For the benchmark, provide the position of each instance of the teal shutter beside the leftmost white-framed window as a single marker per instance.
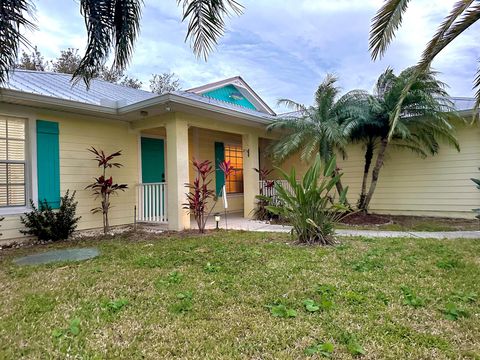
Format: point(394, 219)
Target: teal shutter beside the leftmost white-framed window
point(48, 163)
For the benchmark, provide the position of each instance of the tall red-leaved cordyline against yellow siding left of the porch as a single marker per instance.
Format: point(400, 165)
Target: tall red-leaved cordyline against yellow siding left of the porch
point(104, 187)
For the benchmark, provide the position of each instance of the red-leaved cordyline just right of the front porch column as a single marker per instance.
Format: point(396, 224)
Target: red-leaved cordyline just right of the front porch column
point(199, 193)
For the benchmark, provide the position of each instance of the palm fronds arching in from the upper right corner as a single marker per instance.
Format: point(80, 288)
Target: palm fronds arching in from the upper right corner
point(389, 18)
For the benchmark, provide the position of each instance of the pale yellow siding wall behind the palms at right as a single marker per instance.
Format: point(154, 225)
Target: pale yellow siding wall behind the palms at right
point(438, 185)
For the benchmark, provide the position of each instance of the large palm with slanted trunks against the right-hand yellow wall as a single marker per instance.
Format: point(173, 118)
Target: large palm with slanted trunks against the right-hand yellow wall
point(425, 120)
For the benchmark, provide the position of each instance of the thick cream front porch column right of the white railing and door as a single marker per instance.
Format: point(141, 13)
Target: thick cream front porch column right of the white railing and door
point(177, 173)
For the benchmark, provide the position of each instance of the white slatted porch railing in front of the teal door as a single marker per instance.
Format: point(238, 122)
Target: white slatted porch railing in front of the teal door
point(152, 202)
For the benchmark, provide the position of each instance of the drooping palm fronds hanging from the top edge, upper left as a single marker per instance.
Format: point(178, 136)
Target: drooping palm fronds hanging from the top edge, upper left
point(112, 27)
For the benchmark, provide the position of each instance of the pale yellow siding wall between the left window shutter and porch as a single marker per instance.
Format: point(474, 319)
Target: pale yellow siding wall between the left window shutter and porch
point(77, 168)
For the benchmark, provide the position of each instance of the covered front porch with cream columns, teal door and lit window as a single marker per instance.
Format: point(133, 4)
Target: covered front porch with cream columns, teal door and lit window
point(166, 148)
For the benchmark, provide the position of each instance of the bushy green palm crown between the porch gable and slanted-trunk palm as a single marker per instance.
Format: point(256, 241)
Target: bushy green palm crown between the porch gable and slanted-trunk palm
point(322, 129)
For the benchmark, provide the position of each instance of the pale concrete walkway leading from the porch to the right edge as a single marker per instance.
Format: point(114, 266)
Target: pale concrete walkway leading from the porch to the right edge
point(238, 222)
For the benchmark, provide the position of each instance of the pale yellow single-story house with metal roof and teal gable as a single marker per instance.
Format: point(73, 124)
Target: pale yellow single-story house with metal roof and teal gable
point(46, 126)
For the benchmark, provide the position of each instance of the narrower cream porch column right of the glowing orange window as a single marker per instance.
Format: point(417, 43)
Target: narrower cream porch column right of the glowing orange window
point(250, 176)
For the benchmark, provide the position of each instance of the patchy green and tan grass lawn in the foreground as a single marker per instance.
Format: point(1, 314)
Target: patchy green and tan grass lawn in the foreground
point(233, 295)
